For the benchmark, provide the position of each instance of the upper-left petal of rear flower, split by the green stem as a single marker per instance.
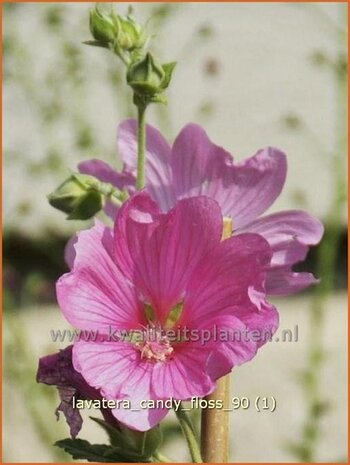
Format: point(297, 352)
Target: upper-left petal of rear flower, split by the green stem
point(158, 173)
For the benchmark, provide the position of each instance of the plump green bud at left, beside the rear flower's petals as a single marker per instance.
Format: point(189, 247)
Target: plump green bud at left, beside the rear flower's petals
point(78, 196)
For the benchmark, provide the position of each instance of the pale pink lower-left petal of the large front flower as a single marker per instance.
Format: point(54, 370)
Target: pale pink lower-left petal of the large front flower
point(116, 368)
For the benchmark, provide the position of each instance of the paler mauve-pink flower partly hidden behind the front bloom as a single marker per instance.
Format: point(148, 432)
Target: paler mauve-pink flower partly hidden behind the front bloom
point(244, 190)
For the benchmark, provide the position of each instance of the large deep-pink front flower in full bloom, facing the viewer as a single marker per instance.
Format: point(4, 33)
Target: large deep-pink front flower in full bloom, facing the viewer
point(155, 268)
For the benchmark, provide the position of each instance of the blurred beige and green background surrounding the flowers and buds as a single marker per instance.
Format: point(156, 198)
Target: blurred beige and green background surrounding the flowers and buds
point(253, 75)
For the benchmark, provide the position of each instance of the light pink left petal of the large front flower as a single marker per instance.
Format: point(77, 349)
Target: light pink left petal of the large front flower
point(95, 294)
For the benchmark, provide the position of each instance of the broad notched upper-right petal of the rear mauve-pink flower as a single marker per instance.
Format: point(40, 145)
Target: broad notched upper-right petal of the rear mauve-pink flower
point(244, 189)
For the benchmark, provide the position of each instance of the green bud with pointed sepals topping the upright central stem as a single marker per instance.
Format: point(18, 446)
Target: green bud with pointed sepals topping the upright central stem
point(148, 78)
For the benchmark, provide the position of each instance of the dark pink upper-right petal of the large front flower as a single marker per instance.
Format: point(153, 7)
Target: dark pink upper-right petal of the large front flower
point(223, 280)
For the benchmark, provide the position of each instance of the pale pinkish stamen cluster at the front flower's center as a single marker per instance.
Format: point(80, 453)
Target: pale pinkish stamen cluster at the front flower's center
point(155, 346)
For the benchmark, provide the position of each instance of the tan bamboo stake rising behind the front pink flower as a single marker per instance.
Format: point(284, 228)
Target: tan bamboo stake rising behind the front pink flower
point(215, 422)
